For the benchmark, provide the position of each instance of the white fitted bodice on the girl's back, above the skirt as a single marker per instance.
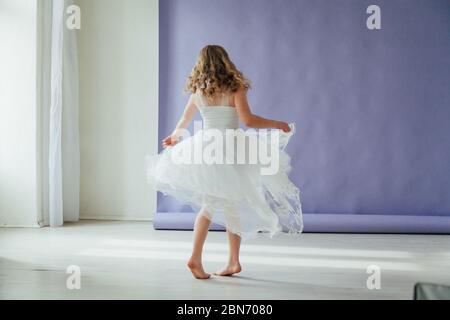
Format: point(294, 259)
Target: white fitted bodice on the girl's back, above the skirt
point(218, 114)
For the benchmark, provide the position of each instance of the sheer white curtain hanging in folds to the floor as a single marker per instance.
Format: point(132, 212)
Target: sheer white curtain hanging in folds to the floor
point(60, 136)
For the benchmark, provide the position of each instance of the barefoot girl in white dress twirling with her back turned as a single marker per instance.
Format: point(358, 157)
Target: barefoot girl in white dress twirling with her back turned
point(236, 196)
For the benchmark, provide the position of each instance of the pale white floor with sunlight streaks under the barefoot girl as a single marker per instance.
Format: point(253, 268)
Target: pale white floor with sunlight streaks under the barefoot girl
point(130, 260)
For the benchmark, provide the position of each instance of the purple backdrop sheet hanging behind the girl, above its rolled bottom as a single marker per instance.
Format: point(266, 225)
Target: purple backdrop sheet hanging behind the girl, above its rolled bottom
point(372, 107)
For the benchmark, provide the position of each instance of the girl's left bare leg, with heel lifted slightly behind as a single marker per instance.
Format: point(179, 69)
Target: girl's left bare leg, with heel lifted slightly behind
point(201, 229)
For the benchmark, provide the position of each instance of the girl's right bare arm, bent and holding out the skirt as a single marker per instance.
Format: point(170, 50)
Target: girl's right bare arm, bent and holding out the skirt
point(253, 121)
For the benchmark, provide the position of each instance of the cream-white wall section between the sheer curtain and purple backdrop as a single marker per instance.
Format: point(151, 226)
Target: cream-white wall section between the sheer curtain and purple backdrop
point(118, 58)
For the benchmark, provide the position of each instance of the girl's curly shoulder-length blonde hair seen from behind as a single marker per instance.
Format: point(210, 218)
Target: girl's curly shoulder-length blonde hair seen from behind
point(215, 73)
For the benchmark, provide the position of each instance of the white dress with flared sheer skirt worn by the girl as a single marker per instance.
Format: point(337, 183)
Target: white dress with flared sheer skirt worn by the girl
point(236, 195)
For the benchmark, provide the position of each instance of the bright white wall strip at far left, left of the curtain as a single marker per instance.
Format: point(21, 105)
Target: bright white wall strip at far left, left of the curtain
point(18, 139)
